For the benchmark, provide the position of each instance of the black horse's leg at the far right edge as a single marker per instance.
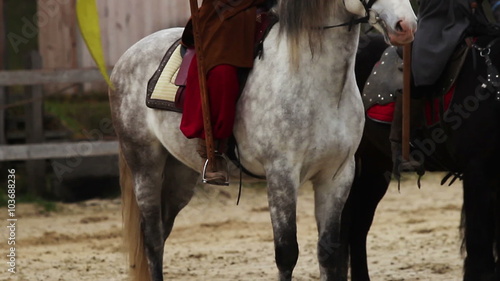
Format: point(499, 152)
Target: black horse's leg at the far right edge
point(479, 223)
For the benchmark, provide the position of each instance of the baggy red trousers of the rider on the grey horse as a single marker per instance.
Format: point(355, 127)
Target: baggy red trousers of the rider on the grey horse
point(223, 90)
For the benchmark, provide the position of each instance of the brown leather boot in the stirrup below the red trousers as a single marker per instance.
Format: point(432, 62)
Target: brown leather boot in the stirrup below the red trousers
point(219, 175)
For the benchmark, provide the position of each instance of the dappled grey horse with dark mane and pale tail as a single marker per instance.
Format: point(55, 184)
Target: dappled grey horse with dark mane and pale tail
point(299, 118)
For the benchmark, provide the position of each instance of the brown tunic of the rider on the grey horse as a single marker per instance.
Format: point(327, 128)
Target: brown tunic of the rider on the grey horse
point(227, 29)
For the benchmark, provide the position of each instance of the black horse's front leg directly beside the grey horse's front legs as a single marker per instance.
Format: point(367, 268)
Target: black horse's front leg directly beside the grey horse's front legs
point(370, 185)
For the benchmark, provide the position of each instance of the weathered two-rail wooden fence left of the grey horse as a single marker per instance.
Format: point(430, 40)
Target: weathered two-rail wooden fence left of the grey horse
point(35, 151)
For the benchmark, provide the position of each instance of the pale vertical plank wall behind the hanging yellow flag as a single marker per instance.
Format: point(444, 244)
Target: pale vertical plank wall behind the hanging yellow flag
point(123, 22)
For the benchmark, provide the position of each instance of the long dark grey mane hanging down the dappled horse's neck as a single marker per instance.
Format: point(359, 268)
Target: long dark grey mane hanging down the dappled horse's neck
point(302, 19)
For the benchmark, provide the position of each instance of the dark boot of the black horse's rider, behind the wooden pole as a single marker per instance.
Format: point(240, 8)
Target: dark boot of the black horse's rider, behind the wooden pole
point(399, 164)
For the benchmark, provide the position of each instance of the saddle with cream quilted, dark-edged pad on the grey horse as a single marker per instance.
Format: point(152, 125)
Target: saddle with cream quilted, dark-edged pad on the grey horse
point(165, 90)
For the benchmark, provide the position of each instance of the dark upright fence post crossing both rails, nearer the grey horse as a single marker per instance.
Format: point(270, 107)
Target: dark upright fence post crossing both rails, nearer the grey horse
point(34, 130)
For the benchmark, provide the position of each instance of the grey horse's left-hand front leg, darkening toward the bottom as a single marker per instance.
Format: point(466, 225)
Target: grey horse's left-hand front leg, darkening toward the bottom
point(282, 196)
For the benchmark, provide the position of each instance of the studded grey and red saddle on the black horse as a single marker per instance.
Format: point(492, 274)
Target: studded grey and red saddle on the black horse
point(386, 82)
